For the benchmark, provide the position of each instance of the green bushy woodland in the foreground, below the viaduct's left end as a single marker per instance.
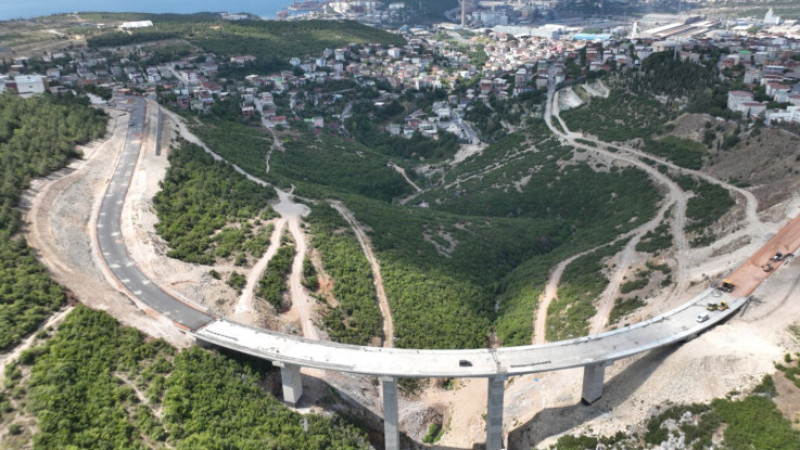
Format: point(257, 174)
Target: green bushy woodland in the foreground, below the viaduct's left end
point(96, 384)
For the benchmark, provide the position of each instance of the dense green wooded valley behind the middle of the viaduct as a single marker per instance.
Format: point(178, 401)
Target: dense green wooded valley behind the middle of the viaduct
point(457, 265)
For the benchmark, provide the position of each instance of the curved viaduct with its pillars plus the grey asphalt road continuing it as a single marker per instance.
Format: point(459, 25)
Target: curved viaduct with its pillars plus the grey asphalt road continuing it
point(290, 353)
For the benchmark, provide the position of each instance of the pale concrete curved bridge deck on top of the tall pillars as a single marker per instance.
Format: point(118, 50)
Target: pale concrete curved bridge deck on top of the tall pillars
point(673, 326)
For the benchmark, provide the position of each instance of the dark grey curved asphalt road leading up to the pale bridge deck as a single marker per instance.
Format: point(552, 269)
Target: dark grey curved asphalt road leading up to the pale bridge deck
point(109, 234)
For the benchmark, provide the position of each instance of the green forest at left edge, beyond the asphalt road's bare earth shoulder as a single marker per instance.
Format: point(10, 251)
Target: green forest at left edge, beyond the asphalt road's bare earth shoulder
point(37, 136)
